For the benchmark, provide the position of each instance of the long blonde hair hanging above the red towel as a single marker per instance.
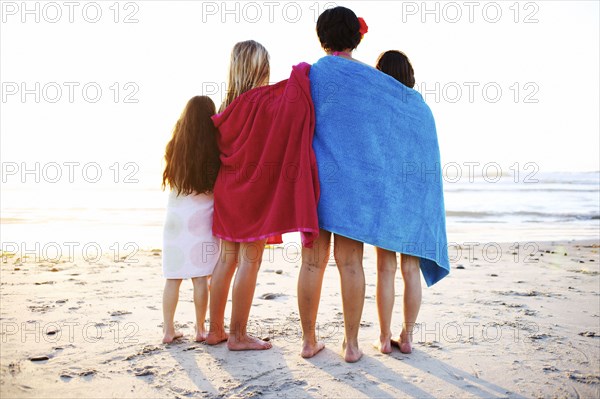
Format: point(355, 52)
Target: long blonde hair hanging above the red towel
point(248, 69)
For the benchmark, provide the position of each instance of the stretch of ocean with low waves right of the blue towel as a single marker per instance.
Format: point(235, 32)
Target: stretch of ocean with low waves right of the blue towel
point(549, 206)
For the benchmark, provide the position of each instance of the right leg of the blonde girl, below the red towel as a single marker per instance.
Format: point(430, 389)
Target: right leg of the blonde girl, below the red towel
point(243, 293)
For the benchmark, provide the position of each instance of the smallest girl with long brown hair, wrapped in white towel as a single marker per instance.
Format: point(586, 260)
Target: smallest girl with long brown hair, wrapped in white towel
point(189, 248)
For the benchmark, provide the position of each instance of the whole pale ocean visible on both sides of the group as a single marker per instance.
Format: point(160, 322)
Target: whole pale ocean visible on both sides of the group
point(128, 214)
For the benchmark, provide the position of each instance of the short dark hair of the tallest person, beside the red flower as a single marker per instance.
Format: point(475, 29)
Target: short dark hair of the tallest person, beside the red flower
point(338, 29)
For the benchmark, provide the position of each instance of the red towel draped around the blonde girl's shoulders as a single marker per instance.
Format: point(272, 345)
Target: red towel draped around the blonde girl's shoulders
point(268, 182)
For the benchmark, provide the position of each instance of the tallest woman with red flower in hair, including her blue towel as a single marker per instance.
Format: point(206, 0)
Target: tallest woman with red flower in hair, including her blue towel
point(379, 173)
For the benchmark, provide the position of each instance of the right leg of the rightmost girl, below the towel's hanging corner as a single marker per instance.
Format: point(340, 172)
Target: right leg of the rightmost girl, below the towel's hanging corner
point(411, 273)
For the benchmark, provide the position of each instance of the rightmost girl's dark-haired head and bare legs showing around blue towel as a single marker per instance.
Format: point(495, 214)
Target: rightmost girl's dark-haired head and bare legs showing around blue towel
point(397, 65)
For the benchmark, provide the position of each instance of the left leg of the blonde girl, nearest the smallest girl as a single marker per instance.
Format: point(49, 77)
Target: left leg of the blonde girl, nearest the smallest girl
point(221, 281)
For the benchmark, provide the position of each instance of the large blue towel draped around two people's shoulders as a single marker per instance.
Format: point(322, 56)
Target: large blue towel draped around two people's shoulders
point(379, 163)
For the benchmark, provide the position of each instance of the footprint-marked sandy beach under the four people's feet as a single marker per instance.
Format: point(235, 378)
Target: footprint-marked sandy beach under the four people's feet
point(521, 323)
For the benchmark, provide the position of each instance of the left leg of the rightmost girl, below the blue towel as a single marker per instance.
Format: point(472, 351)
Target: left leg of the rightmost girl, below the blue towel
point(386, 274)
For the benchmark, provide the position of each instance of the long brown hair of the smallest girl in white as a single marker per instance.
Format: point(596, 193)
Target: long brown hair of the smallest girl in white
point(192, 155)
